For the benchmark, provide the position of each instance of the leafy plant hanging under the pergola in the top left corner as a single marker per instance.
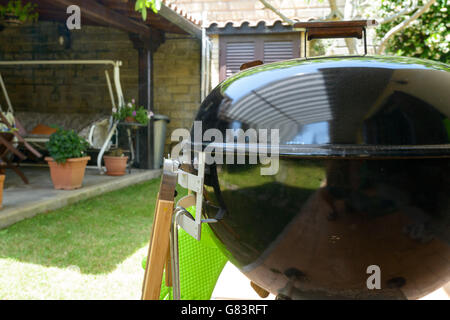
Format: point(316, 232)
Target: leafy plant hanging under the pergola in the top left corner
point(15, 13)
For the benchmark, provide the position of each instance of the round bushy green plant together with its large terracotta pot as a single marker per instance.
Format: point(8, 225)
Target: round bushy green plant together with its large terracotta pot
point(67, 159)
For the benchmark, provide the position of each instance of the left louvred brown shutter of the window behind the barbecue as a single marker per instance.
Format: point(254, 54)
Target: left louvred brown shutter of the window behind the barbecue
point(238, 53)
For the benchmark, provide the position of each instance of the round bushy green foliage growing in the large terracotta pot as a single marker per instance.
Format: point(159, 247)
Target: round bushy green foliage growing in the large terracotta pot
point(66, 144)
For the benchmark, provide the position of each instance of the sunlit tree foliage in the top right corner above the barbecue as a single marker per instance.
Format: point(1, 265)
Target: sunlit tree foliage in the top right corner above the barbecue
point(427, 37)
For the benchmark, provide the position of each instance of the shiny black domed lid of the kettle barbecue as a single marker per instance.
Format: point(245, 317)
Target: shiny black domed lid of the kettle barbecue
point(338, 106)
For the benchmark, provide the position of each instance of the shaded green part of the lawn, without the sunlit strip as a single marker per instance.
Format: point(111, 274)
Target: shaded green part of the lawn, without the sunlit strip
point(95, 235)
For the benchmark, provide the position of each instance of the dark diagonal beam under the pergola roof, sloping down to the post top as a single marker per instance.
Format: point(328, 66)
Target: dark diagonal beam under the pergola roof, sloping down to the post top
point(95, 11)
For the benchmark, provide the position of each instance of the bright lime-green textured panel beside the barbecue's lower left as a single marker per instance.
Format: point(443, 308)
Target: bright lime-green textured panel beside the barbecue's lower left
point(201, 263)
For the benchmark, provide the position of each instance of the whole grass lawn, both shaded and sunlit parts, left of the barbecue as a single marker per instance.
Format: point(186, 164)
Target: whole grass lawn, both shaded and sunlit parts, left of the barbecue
point(89, 250)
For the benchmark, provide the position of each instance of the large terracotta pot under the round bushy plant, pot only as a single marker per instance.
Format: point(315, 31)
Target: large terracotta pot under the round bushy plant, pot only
point(70, 175)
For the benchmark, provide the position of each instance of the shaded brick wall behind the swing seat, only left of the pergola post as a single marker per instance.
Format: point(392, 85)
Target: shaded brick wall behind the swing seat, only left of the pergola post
point(65, 89)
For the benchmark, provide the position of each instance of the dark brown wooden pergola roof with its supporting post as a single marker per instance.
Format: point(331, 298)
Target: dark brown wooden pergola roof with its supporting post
point(147, 36)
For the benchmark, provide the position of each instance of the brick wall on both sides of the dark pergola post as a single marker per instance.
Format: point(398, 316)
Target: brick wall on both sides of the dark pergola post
point(82, 89)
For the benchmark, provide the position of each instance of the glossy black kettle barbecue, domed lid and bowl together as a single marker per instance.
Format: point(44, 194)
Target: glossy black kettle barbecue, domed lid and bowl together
point(358, 206)
